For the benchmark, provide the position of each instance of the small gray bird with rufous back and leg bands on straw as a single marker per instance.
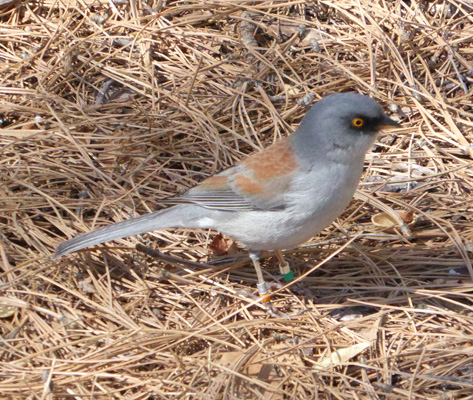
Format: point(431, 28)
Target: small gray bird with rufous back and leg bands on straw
point(279, 197)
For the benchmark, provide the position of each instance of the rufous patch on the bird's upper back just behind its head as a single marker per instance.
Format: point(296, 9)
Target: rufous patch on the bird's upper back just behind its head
point(275, 160)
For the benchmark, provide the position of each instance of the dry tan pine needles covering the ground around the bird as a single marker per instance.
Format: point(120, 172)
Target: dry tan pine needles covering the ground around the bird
point(108, 107)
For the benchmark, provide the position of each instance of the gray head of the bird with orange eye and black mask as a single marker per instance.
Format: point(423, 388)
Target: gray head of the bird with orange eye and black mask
point(343, 124)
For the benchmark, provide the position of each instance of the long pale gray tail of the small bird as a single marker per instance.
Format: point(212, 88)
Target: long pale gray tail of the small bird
point(174, 217)
